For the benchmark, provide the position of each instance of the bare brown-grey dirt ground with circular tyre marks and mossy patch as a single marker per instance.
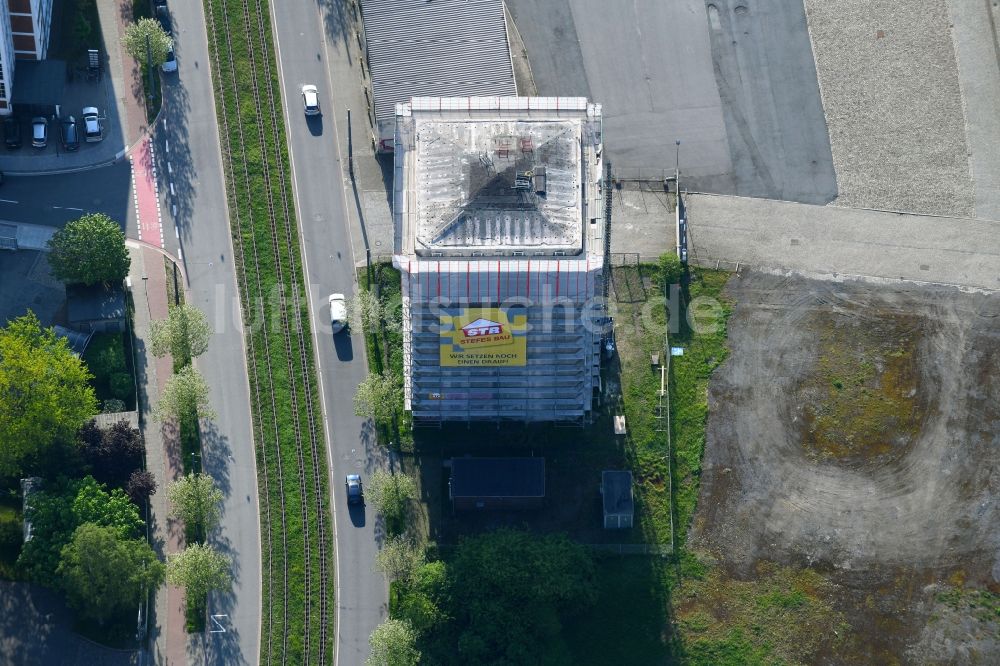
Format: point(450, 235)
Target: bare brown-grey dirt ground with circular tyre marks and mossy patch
point(855, 431)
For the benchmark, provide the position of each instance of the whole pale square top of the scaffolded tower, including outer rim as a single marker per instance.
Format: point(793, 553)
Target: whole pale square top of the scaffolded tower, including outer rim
point(497, 175)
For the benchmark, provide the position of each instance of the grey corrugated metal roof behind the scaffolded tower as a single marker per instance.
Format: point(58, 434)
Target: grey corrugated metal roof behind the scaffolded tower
point(438, 48)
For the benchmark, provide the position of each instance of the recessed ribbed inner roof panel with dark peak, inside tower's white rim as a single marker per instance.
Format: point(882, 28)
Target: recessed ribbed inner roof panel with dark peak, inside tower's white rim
point(501, 184)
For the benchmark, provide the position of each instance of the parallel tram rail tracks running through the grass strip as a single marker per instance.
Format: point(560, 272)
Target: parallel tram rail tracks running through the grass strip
point(284, 248)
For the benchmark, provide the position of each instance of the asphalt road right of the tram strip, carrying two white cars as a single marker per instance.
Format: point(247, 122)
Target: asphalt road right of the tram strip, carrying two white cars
point(321, 194)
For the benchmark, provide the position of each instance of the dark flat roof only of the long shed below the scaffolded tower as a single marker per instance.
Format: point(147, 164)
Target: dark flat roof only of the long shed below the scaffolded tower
point(498, 477)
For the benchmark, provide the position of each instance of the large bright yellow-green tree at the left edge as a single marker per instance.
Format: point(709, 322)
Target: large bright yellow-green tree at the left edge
point(44, 394)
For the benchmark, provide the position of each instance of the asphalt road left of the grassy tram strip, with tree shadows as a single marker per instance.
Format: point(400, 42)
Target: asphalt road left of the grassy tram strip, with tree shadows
point(188, 154)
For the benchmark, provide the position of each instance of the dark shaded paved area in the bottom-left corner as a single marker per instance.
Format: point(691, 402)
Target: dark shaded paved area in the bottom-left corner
point(35, 629)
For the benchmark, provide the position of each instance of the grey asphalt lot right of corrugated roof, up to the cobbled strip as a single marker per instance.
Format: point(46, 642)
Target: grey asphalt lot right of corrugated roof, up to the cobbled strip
point(735, 85)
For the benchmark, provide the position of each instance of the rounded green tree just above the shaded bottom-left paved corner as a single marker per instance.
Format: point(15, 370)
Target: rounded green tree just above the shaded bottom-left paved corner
point(104, 575)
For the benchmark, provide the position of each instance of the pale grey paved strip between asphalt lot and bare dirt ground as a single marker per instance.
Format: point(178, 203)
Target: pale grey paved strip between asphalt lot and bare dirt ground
point(831, 241)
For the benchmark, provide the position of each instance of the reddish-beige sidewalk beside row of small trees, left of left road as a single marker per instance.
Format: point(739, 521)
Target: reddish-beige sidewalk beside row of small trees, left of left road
point(167, 638)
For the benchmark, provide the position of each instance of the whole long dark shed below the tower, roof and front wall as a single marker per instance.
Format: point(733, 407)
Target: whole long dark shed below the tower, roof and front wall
point(497, 483)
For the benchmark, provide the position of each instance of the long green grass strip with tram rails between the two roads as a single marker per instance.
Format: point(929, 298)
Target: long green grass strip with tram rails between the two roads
point(253, 167)
